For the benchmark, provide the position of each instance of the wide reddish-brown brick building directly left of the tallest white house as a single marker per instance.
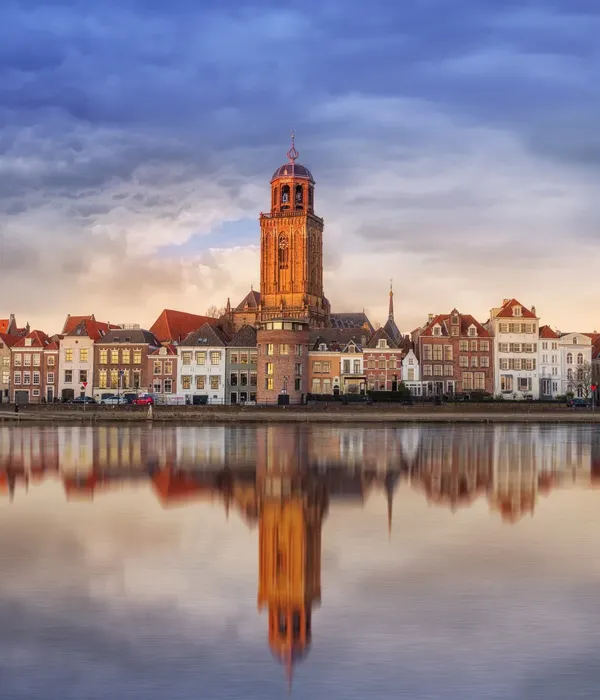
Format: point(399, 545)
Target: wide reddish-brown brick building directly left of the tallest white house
point(456, 354)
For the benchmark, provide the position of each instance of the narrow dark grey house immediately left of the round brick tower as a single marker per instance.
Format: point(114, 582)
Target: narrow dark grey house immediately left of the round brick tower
point(241, 367)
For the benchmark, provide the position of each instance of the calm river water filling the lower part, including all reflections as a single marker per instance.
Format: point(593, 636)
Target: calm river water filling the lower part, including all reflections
point(329, 562)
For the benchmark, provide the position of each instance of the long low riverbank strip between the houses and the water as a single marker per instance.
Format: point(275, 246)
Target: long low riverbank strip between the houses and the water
point(460, 413)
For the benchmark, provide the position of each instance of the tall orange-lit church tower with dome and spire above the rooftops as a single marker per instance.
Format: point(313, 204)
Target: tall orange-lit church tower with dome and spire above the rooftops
point(291, 248)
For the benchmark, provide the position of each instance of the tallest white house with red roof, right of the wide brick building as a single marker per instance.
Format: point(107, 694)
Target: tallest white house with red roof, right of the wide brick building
point(515, 329)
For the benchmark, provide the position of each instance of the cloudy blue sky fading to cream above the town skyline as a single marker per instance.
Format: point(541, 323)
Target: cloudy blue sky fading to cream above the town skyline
point(456, 153)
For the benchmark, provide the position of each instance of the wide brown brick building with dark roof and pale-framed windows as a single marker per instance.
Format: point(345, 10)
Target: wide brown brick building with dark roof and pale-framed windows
point(121, 361)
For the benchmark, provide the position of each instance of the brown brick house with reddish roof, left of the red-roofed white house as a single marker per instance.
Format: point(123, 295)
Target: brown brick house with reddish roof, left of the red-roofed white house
point(34, 368)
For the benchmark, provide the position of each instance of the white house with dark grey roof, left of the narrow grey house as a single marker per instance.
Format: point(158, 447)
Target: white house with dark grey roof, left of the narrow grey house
point(201, 366)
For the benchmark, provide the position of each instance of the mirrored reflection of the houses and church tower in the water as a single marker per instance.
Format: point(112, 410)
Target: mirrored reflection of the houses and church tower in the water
point(283, 479)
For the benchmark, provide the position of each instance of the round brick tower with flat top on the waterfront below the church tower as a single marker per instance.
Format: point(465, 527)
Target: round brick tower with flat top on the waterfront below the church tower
point(282, 359)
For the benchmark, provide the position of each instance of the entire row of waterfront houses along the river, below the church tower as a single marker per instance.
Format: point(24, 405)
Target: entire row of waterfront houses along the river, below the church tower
point(200, 359)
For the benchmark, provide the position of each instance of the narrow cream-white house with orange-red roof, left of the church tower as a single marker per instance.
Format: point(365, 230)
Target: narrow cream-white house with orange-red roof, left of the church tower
point(76, 364)
